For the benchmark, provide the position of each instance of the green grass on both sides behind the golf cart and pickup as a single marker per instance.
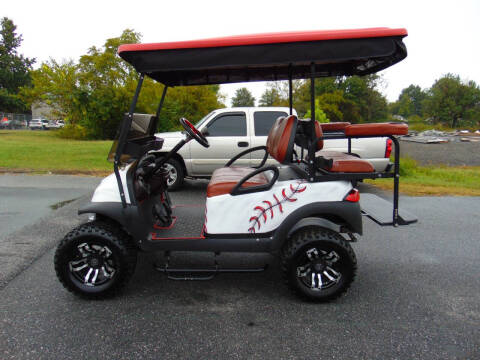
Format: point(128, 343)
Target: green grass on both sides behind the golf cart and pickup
point(43, 151)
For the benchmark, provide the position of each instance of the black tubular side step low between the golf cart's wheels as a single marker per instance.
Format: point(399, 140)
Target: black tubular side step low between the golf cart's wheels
point(200, 274)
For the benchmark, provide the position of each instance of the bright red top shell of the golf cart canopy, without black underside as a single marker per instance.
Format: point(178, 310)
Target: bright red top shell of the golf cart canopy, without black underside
point(267, 38)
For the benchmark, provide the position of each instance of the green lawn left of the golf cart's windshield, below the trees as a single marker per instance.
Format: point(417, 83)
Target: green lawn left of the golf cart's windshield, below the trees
point(43, 151)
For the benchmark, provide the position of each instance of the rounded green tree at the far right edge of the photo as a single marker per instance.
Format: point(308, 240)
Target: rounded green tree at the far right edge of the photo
point(451, 100)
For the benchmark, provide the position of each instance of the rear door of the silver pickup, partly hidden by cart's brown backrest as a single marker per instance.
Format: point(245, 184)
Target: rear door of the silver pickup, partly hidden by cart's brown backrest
point(262, 123)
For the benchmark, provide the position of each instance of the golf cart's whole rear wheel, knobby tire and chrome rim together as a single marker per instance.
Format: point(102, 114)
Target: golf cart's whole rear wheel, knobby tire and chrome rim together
point(318, 264)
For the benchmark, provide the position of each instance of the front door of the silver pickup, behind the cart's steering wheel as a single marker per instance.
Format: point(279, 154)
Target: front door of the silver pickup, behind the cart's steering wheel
point(228, 136)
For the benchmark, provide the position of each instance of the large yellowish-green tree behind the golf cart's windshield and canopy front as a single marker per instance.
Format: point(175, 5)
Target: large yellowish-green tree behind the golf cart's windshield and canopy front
point(93, 94)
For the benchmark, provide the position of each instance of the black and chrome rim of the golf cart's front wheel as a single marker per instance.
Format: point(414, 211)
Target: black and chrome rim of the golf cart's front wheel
point(93, 265)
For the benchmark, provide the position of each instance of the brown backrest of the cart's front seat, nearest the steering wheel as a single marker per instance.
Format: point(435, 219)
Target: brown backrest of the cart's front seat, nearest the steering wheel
point(281, 138)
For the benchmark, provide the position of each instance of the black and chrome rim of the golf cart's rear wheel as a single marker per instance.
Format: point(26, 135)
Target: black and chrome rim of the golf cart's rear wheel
point(320, 269)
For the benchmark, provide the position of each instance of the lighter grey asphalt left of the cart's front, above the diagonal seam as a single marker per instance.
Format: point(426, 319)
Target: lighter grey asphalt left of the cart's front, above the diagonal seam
point(27, 204)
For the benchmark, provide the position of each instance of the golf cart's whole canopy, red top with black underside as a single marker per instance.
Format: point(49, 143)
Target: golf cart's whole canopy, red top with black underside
point(268, 57)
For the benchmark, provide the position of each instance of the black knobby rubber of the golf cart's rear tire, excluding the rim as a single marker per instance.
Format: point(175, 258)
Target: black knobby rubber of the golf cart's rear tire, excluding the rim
point(320, 238)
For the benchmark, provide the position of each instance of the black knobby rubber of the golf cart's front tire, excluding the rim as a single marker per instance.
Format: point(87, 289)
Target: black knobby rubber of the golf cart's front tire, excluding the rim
point(124, 254)
